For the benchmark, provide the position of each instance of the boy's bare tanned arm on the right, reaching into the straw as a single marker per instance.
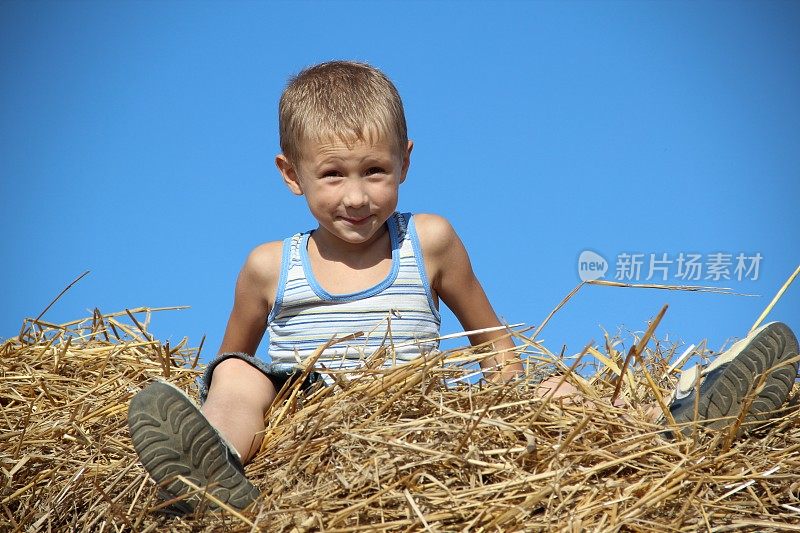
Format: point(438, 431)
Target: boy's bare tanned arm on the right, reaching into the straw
point(452, 279)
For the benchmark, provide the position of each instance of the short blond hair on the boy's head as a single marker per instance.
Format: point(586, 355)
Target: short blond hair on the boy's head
point(340, 99)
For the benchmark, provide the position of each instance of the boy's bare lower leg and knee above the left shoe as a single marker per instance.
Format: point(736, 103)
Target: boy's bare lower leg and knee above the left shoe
point(237, 400)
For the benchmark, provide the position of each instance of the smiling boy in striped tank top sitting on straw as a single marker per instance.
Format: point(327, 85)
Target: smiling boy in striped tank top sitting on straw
point(365, 268)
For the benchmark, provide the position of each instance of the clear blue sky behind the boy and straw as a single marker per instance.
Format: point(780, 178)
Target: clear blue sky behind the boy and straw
point(137, 141)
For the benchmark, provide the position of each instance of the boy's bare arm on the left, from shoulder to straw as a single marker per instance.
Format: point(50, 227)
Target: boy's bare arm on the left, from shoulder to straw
point(255, 293)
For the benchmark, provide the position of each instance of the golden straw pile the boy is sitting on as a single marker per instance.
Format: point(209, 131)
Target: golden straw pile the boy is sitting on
point(394, 451)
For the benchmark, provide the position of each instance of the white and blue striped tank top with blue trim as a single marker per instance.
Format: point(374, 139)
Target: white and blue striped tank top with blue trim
point(398, 313)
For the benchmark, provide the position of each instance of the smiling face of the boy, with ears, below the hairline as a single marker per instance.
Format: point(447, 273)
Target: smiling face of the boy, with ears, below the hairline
point(350, 190)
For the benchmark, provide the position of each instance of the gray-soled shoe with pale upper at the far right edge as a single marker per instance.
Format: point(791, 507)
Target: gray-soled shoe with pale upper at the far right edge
point(728, 382)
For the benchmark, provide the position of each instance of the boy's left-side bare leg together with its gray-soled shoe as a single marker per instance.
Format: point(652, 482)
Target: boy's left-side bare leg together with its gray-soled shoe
point(176, 441)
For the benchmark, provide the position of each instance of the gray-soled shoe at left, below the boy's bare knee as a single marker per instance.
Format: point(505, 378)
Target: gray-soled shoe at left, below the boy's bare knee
point(172, 437)
